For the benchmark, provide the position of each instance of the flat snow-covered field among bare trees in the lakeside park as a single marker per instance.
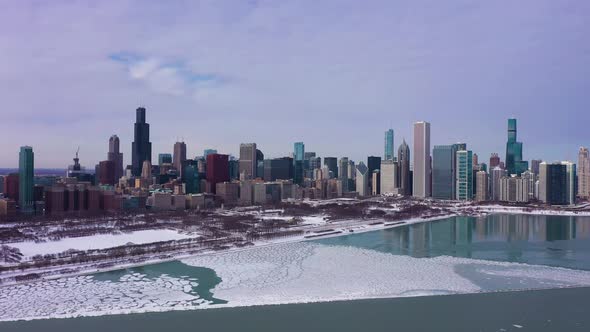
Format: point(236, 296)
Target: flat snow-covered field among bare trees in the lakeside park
point(100, 241)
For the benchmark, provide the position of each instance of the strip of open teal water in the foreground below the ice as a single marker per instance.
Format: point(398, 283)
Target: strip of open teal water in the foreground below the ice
point(559, 310)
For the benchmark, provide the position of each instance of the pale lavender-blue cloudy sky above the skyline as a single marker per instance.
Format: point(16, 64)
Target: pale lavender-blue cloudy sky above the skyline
point(333, 74)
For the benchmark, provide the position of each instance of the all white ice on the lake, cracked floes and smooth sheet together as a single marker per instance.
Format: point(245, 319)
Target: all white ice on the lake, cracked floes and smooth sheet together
point(282, 273)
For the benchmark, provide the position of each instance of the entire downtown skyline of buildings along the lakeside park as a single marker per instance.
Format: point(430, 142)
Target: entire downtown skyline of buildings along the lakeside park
point(447, 172)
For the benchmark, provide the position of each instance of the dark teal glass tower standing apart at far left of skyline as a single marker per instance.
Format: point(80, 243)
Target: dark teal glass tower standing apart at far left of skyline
point(26, 179)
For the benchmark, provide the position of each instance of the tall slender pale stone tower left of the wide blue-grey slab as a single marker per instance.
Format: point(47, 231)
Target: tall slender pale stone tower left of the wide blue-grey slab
point(421, 154)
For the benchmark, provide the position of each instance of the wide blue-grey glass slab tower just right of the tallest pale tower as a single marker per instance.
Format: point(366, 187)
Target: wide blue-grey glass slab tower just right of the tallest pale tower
point(443, 171)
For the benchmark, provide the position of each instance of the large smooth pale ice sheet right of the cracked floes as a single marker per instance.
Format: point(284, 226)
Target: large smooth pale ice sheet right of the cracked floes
point(307, 272)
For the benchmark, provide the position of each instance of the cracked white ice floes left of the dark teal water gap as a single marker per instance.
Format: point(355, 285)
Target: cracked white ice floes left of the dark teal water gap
point(84, 296)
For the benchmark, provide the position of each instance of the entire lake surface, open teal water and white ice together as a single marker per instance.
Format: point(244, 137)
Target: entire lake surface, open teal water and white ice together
point(468, 254)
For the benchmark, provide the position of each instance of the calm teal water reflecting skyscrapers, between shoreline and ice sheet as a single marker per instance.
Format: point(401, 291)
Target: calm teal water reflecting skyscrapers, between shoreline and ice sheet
point(542, 240)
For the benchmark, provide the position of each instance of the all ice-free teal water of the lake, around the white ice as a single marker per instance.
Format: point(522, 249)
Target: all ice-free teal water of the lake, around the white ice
point(542, 240)
